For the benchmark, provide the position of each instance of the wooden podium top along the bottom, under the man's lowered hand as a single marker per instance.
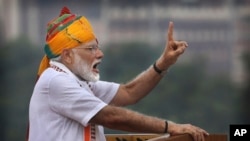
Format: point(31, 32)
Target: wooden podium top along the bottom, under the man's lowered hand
point(165, 137)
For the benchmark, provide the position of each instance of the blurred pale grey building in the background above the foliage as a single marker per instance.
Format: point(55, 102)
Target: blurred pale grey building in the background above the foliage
point(216, 30)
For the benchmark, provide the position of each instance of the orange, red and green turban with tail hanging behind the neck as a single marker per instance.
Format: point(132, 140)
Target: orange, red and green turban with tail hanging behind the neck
point(65, 32)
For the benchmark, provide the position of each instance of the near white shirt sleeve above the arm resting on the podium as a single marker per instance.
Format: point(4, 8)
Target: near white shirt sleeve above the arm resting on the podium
point(67, 98)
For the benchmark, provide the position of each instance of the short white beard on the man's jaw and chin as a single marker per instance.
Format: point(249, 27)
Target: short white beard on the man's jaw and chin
point(83, 70)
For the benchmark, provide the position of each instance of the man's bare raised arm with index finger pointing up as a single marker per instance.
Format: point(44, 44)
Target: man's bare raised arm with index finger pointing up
point(140, 86)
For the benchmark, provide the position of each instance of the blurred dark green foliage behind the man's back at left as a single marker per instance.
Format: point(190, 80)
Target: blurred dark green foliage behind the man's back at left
point(19, 61)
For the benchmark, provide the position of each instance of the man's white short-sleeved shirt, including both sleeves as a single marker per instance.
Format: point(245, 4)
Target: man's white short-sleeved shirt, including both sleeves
point(61, 105)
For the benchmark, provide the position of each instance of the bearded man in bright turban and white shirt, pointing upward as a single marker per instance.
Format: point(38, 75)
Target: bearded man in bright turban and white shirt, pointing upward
point(70, 103)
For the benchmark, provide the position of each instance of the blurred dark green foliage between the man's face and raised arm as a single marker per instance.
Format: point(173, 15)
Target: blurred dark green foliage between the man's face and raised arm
point(123, 62)
